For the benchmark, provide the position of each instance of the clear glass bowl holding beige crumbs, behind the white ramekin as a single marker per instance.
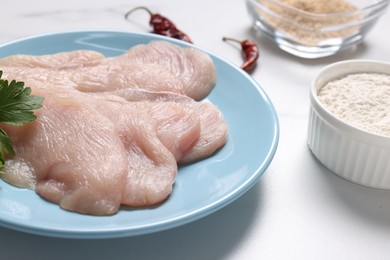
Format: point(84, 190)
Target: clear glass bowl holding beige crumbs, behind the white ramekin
point(309, 29)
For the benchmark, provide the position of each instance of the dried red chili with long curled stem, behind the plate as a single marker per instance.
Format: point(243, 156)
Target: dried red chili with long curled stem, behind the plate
point(162, 25)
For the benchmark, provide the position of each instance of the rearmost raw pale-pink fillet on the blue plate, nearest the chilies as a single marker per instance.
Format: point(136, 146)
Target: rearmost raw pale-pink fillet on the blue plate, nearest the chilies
point(193, 70)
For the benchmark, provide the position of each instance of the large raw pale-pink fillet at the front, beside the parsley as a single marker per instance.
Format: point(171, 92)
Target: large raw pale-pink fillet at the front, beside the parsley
point(76, 156)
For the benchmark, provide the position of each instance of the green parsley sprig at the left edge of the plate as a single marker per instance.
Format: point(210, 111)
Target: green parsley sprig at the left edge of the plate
point(16, 105)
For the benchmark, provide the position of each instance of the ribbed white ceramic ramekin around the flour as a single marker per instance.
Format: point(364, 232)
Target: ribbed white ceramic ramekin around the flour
point(356, 155)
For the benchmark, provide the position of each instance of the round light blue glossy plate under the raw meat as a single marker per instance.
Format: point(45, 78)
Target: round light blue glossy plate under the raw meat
point(200, 189)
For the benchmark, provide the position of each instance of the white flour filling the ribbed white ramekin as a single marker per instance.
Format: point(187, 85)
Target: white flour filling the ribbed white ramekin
point(361, 99)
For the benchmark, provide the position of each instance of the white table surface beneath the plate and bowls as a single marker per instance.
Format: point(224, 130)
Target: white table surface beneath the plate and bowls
point(298, 209)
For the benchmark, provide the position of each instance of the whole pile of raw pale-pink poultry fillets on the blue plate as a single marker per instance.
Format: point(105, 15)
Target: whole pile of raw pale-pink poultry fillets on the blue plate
point(113, 130)
